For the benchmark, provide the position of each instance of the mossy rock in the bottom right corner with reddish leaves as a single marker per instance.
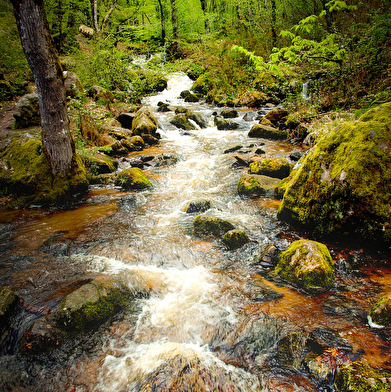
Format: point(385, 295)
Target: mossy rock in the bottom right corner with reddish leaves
point(359, 377)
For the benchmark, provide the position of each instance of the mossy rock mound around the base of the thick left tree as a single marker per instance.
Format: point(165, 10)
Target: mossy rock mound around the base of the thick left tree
point(25, 174)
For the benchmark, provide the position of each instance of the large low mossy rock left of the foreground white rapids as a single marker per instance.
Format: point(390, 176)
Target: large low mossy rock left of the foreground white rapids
point(91, 305)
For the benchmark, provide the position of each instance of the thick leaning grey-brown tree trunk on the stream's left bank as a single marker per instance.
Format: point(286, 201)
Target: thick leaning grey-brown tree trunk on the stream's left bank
point(43, 60)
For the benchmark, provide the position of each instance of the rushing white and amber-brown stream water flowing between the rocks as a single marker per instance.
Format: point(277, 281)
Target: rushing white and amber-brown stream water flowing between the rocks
point(205, 325)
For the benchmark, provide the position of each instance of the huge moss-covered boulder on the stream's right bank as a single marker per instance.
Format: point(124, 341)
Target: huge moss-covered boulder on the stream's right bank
point(343, 186)
